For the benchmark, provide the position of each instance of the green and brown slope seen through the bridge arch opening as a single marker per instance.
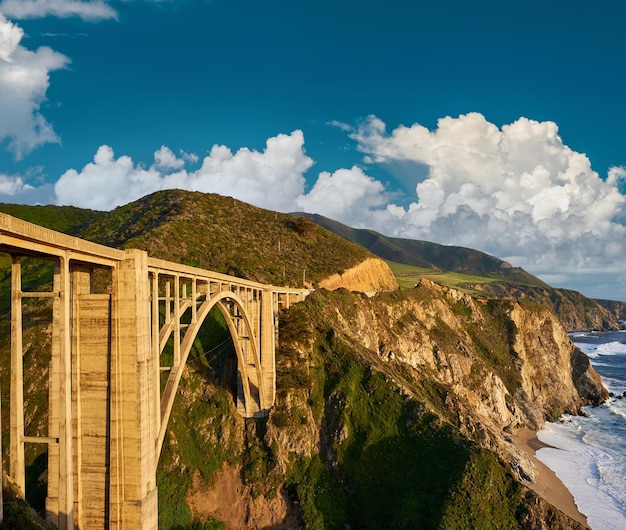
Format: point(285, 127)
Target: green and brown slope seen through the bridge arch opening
point(205, 401)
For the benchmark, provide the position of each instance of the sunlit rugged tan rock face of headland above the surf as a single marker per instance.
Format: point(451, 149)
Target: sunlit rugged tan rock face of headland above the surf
point(506, 365)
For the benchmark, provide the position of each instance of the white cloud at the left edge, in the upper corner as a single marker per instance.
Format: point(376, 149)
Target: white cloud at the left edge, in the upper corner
point(24, 79)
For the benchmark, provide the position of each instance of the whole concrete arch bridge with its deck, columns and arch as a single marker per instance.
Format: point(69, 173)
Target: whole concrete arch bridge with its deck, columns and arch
point(123, 324)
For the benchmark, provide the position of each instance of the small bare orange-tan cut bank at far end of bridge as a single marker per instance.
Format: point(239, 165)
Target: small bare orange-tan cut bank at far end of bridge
point(371, 275)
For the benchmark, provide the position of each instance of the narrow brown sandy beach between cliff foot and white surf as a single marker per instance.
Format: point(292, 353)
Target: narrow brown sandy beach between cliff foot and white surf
point(546, 484)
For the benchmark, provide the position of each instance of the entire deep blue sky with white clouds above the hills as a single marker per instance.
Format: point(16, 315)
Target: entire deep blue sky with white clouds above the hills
point(494, 125)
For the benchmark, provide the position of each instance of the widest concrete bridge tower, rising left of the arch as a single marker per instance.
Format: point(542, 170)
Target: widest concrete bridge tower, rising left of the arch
point(134, 501)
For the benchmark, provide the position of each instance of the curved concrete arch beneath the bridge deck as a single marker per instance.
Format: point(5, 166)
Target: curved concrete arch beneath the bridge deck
point(246, 349)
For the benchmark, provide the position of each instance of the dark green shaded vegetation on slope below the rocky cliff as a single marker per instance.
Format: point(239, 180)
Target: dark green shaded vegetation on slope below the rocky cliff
point(386, 461)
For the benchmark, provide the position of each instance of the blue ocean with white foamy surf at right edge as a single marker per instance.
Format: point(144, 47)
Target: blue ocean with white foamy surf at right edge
point(590, 454)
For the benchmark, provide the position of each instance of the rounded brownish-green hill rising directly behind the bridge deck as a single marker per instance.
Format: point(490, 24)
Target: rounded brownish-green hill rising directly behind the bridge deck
point(226, 235)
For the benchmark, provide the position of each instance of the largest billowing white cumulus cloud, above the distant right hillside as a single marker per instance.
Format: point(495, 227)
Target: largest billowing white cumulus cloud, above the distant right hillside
point(517, 192)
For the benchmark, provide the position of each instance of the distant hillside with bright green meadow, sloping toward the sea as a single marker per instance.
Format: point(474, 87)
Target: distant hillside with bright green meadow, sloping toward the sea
point(478, 273)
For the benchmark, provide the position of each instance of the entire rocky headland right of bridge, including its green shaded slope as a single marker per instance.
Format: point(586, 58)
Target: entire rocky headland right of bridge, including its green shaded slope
point(404, 395)
